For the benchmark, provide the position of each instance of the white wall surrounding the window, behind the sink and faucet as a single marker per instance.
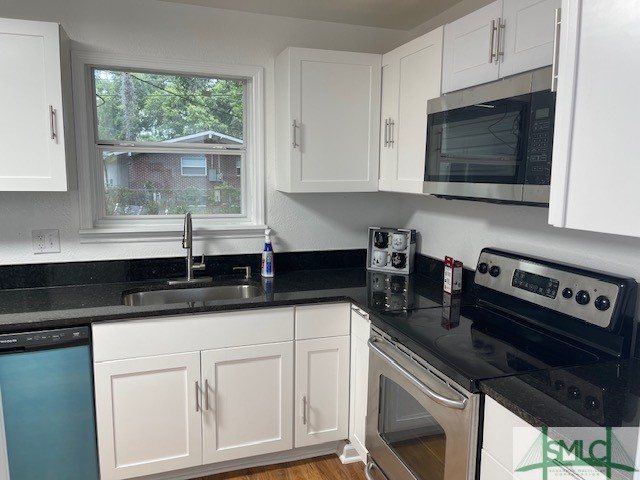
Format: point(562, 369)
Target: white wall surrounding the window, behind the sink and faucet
point(160, 29)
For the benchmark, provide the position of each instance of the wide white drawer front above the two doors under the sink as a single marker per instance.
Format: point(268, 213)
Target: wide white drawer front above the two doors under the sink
point(164, 335)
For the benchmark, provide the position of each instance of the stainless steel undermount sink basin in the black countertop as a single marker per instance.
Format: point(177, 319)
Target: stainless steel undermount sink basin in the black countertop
point(217, 291)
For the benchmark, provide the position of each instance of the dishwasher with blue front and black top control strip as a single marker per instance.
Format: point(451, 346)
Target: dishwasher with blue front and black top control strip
point(47, 420)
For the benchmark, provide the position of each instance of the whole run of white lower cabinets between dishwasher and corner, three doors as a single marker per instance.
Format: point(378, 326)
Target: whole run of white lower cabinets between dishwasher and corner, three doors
point(209, 388)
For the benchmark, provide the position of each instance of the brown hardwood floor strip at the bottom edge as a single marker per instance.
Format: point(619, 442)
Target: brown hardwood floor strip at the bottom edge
point(328, 467)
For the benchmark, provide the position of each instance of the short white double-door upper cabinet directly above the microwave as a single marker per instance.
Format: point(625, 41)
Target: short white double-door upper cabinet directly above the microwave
point(498, 40)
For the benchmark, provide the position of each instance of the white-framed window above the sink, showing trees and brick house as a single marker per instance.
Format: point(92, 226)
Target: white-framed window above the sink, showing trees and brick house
point(159, 139)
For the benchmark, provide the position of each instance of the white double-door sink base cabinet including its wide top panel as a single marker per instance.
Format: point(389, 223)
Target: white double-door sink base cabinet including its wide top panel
point(228, 397)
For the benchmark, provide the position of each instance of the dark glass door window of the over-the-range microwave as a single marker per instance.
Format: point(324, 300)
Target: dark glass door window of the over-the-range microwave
point(482, 143)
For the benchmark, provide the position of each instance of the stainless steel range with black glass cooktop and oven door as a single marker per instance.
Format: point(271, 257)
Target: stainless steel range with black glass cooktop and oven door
point(526, 315)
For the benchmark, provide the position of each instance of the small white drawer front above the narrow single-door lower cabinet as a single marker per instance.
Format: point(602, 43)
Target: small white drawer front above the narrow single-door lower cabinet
point(325, 320)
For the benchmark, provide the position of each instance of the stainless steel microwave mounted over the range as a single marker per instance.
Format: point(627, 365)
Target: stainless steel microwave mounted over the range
point(492, 142)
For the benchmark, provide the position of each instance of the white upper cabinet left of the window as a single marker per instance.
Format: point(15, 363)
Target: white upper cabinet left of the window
point(36, 129)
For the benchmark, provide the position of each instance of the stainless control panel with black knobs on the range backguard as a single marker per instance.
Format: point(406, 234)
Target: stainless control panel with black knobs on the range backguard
point(562, 288)
